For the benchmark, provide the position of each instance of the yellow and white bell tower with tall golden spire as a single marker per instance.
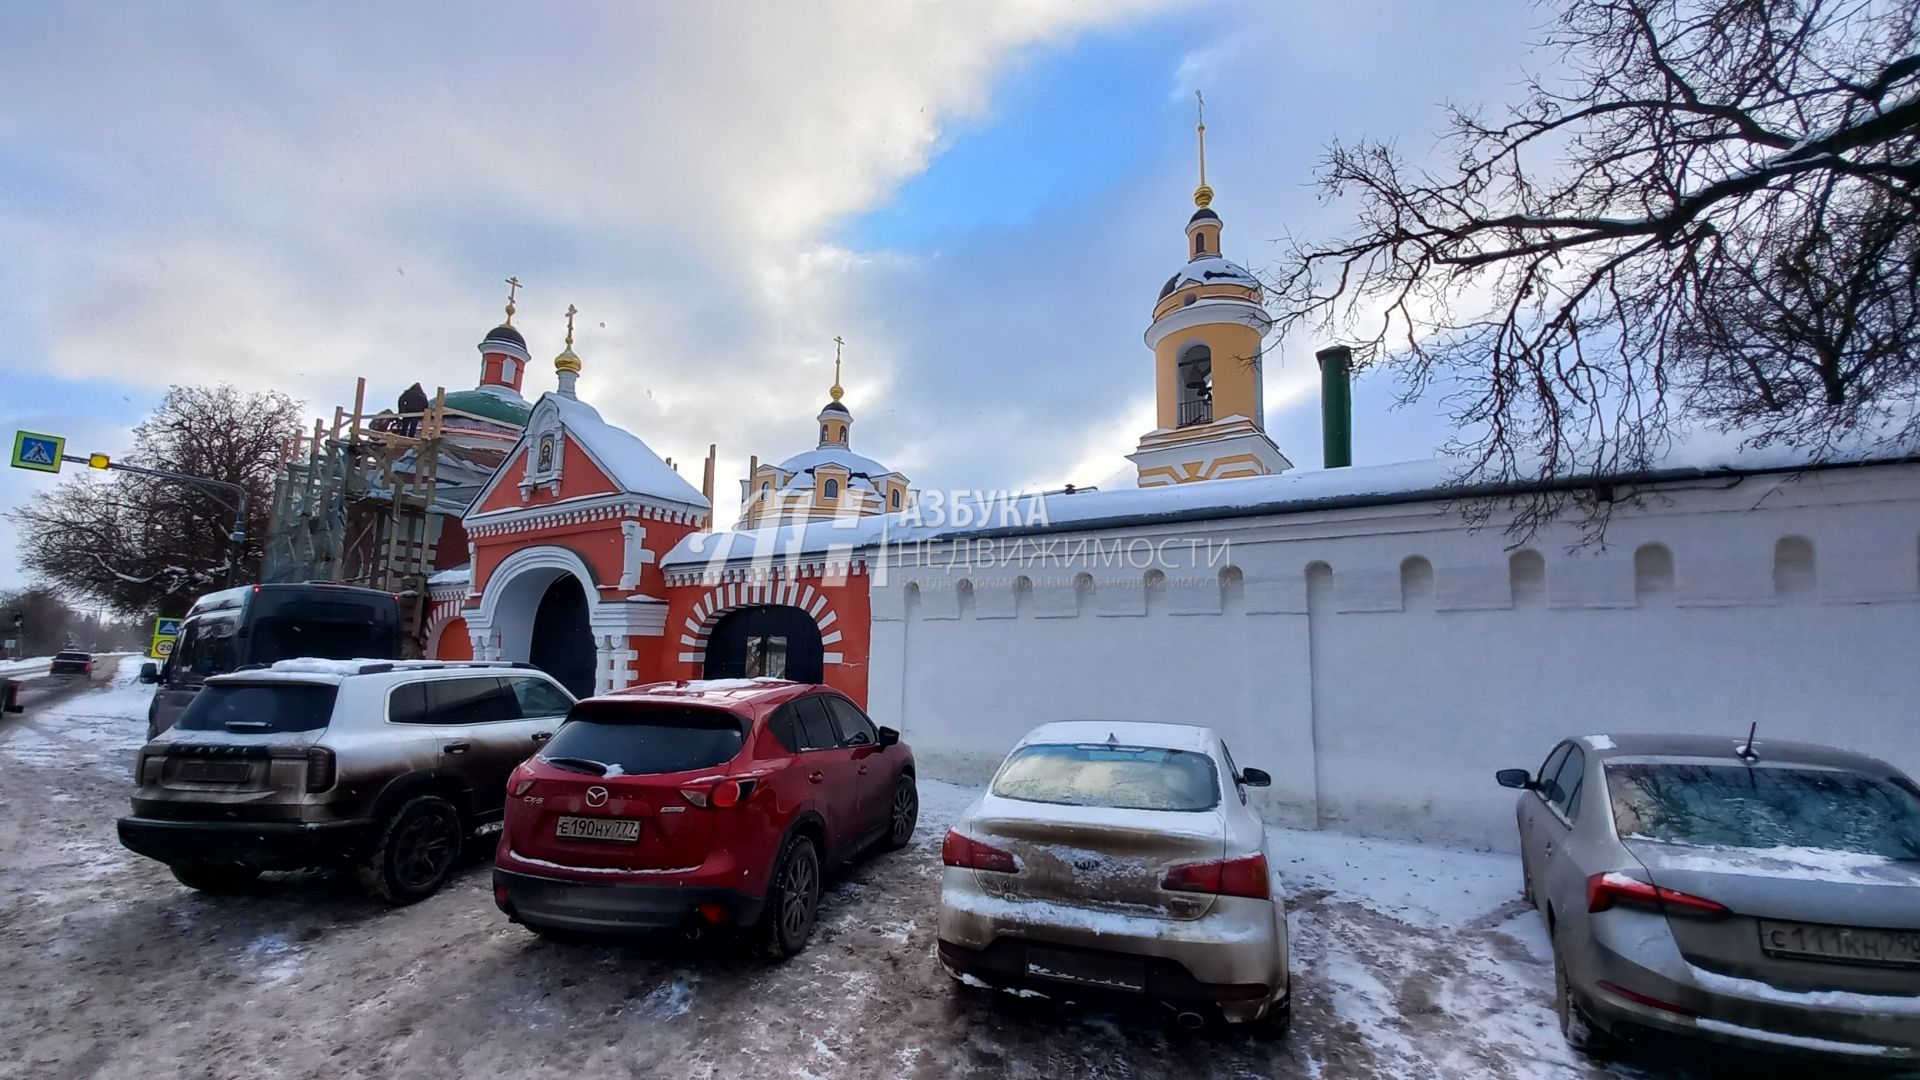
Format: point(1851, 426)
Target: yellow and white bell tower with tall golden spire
point(1207, 337)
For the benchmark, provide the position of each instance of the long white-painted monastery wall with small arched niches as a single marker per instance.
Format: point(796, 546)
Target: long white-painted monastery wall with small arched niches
point(1385, 662)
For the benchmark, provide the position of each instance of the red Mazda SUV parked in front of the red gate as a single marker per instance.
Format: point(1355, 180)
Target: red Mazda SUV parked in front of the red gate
point(708, 804)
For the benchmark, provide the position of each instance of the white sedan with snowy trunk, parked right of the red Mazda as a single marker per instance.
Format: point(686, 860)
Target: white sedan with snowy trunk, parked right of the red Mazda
point(1120, 858)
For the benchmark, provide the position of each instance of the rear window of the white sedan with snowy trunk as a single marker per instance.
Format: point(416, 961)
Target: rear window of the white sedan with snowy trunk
point(1105, 775)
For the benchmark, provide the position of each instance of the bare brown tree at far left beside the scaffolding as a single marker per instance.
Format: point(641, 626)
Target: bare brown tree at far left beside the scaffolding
point(151, 547)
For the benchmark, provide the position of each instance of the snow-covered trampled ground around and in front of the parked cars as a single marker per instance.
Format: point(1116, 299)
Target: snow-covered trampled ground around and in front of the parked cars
point(1408, 962)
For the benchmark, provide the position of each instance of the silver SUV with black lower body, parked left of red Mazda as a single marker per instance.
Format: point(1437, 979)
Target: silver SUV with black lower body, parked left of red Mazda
point(385, 768)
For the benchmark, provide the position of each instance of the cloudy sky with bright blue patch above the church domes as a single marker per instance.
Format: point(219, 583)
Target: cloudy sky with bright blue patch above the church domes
point(980, 197)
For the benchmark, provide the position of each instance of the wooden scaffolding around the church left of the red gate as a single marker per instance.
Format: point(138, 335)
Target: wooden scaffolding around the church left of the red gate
point(360, 503)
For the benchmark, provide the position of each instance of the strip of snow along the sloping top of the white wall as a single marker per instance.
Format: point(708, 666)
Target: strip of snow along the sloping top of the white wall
point(1297, 491)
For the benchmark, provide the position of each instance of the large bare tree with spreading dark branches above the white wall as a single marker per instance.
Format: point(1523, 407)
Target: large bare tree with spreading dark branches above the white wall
point(1706, 216)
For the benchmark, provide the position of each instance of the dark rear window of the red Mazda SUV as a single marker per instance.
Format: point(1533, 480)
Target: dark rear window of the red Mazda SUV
point(623, 739)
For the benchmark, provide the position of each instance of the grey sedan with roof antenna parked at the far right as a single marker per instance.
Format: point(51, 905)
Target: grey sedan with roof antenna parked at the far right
point(1760, 895)
